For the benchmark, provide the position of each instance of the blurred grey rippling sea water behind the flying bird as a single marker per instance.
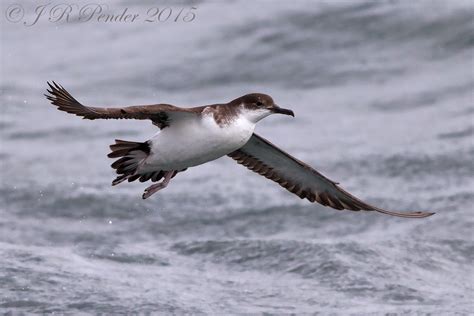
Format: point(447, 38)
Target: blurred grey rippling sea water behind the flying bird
point(383, 96)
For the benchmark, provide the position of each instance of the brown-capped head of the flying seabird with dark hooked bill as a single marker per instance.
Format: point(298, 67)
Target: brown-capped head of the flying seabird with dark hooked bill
point(256, 106)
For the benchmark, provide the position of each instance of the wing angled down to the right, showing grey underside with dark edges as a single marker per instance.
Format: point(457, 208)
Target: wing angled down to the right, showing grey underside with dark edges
point(264, 158)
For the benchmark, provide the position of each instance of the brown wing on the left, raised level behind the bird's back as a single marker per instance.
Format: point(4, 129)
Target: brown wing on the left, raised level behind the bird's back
point(160, 114)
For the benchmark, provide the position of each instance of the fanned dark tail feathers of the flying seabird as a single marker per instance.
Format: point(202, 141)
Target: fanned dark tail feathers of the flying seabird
point(131, 155)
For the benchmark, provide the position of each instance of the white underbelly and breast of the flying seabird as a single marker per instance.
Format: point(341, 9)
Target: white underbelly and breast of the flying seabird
point(195, 141)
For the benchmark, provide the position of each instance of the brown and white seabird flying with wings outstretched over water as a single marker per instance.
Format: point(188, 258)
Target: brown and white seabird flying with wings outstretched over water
point(189, 137)
